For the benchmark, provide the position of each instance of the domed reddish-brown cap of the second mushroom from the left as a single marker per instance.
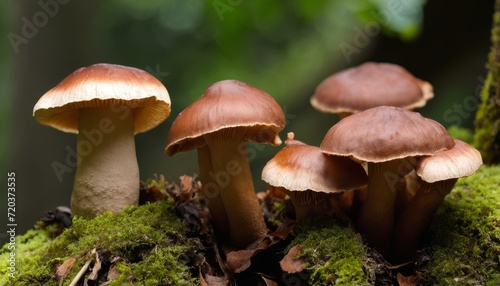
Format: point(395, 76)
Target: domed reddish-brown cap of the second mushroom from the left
point(226, 105)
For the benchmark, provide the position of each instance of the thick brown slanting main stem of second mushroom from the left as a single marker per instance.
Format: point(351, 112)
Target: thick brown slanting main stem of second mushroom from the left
point(233, 175)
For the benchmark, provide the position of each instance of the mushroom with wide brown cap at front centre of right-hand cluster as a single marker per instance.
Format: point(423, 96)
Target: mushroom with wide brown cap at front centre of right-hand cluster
point(388, 139)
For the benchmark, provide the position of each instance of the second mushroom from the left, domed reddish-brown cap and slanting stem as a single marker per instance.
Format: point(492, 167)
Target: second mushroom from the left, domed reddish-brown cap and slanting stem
point(229, 114)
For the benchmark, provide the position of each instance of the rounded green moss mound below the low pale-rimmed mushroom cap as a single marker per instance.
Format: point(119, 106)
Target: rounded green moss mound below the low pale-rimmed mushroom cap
point(333, 252)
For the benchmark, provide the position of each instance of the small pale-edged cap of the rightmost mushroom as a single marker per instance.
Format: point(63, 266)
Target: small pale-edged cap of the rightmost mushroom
point(460, 161)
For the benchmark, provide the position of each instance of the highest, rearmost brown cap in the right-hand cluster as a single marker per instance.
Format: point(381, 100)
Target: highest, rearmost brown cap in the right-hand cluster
point(370, 85)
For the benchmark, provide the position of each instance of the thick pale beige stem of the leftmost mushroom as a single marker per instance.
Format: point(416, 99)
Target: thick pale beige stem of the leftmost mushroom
point(107, 175)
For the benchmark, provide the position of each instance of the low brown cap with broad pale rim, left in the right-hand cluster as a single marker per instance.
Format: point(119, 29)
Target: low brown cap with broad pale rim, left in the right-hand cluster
point(301, 167)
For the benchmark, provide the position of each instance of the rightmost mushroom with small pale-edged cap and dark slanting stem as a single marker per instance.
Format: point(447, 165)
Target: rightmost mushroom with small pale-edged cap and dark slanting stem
point(438, 173)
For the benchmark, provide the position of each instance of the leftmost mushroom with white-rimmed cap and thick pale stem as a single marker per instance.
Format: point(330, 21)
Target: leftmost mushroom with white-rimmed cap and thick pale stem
point(106, 105)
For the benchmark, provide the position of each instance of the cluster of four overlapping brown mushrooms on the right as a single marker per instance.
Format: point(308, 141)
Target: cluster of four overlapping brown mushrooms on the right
point(411, 162)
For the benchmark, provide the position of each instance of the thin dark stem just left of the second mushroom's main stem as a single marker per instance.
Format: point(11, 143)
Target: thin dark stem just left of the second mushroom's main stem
point(211, 193)
